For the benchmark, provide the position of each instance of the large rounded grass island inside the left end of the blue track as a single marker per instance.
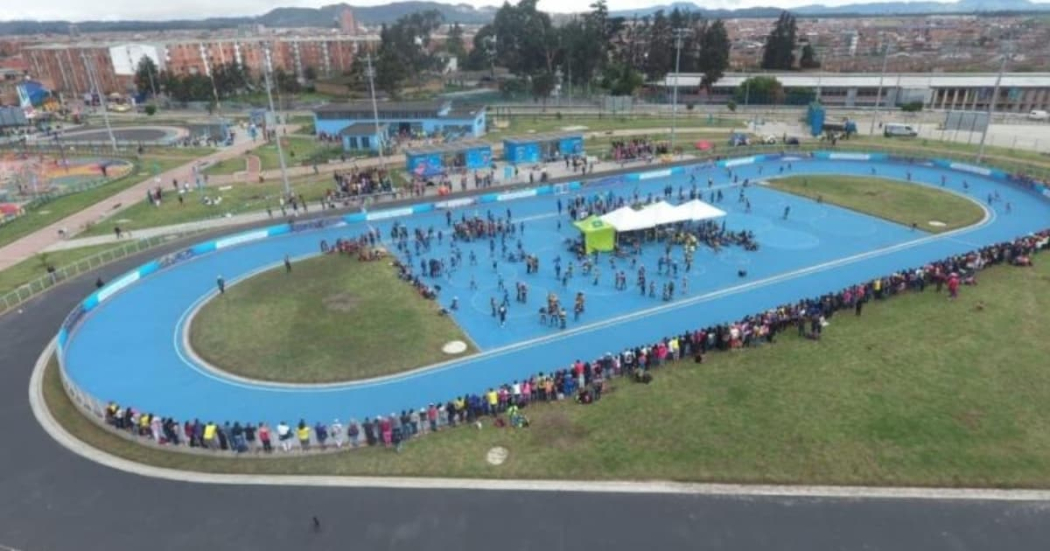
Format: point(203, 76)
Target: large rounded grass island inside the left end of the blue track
point(332, 319)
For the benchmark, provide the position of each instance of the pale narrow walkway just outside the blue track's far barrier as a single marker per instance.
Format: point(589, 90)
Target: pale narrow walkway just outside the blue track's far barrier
point(555, 171)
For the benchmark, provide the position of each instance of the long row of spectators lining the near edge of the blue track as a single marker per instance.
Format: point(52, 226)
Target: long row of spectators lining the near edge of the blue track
point(583, 382)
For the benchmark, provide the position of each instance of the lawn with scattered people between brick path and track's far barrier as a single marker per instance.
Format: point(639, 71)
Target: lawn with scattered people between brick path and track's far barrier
point(238, 200)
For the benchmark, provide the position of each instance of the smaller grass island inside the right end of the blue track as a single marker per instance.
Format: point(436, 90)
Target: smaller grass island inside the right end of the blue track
point(887, 199)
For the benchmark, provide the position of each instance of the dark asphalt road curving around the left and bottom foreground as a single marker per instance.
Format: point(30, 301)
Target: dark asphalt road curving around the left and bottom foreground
point(53, 500)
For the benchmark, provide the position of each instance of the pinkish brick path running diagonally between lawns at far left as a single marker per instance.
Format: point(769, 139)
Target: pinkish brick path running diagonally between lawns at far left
point(46, 238)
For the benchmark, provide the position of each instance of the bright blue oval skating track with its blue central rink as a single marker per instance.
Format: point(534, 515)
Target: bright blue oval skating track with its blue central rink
point(805, 248)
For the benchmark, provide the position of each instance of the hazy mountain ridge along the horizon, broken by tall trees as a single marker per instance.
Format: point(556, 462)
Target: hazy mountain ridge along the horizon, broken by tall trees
point(326, 16)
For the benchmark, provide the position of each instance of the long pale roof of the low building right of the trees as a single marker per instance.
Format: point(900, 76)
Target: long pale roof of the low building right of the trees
point(864, 80)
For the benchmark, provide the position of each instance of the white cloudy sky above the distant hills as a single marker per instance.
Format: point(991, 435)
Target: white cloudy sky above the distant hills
point(115, 10)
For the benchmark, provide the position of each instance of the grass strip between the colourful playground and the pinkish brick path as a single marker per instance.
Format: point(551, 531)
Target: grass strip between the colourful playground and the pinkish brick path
point(62, 207)
